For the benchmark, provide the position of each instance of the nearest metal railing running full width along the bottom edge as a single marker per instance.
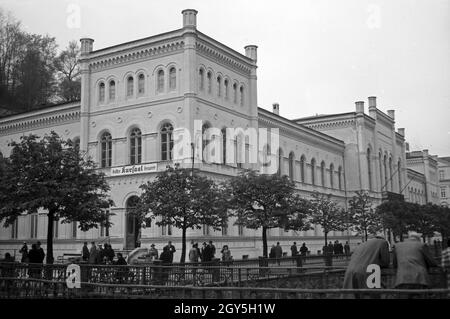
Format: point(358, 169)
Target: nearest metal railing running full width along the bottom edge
point(13, 288)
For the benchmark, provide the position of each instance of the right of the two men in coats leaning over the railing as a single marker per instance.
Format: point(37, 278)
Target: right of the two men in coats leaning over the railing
point(412, 260)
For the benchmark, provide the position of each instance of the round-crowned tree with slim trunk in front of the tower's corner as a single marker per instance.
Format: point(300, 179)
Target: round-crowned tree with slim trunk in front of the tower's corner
point(183, 200)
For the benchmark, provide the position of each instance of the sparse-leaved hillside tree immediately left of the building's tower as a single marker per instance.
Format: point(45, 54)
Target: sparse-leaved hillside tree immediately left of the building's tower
point(68, 73)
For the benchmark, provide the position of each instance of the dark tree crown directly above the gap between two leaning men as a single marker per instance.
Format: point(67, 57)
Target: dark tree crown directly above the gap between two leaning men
point(396, 216)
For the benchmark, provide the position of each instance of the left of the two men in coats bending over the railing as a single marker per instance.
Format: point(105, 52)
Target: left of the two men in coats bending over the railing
point(373, 251)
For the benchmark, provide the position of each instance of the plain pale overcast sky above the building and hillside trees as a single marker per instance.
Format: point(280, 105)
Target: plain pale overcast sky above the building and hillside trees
point(314, 56)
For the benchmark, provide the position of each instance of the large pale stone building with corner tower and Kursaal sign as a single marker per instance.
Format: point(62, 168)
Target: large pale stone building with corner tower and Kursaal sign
point(136, 96)
